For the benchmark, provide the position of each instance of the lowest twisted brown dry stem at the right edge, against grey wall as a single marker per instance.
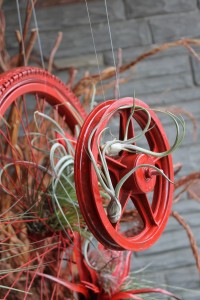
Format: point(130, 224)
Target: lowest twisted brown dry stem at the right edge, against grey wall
point(191, 237)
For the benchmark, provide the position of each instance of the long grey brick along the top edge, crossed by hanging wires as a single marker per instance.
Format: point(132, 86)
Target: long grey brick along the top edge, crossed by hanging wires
point(56, 17)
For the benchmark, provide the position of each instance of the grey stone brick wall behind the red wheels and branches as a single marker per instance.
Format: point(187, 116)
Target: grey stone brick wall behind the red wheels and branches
point(169, 78)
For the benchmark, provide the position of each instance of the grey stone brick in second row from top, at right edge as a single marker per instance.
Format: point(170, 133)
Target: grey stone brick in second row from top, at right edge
point(176, 26)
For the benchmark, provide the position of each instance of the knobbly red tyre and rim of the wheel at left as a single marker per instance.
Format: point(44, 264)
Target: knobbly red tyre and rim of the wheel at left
point(24, 80)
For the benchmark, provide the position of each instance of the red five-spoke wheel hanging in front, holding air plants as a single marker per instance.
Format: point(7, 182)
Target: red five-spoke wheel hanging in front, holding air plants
point(150, 195)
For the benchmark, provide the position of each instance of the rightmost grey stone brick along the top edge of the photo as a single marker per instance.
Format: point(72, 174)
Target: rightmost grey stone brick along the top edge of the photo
point(143, 8)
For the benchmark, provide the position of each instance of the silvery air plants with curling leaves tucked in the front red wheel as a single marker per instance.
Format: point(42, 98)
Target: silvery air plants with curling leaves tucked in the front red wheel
point(113, 148)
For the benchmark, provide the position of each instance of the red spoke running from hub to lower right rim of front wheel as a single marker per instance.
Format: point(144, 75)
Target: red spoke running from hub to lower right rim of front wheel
point(144, 208)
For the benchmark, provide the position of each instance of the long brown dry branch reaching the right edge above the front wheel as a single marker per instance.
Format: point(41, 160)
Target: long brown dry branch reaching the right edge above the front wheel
point(83, 83)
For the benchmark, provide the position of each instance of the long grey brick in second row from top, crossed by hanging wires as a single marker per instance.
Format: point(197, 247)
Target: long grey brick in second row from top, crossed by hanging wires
point(78, 40)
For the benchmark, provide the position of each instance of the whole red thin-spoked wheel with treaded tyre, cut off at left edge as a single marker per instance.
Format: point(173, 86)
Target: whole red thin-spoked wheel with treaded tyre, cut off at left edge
point(25, 146)
